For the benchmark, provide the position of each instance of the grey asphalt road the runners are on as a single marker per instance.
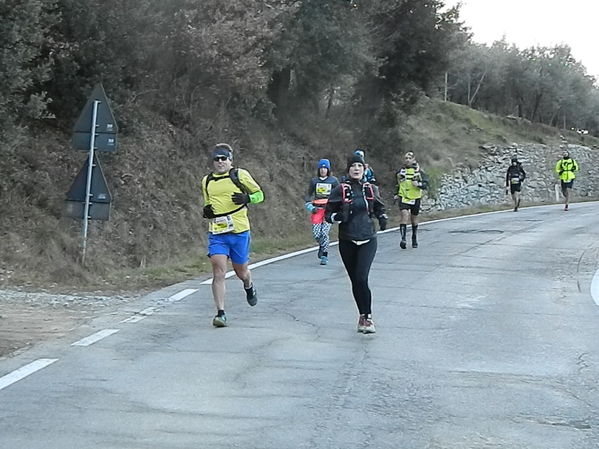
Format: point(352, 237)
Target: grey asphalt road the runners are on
point(487, 337)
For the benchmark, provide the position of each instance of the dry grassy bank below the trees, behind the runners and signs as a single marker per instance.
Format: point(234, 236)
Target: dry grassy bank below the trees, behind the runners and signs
point(156, 234)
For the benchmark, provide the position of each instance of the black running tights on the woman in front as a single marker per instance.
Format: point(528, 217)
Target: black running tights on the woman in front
point(357, 260)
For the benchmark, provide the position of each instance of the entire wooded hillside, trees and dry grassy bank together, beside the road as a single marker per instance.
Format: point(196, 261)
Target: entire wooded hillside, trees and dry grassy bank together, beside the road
point(285, 82)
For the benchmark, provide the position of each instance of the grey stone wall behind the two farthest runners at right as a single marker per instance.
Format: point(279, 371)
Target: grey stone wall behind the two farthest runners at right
point(485, 184)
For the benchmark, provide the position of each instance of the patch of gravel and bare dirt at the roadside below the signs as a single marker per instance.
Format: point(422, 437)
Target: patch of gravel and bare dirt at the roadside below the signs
point(28, 318)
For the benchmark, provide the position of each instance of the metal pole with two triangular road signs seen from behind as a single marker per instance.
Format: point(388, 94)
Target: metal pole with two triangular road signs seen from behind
point(95, 130)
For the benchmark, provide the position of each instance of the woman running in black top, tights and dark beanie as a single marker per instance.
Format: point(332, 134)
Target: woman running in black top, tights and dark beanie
point(354, 204)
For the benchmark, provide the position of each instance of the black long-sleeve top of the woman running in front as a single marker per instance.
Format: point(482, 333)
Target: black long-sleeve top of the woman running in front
point(357, 224)
